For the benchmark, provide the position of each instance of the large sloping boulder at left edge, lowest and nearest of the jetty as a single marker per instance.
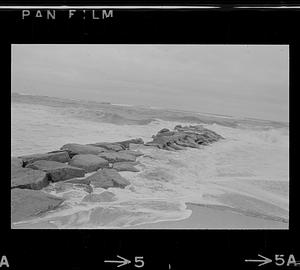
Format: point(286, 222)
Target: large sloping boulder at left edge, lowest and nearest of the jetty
point(27, 204)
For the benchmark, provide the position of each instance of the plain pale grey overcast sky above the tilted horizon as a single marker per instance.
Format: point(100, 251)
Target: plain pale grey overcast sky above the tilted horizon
point(238, 80)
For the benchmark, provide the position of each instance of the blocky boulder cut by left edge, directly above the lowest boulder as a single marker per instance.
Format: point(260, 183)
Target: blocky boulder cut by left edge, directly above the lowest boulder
point(28, 178)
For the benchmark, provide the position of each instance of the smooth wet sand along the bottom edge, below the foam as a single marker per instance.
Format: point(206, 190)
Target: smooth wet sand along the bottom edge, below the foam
point(203, 217)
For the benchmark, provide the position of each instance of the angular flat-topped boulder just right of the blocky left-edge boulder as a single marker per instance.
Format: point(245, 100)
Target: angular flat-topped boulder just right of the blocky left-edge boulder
point(57, 171)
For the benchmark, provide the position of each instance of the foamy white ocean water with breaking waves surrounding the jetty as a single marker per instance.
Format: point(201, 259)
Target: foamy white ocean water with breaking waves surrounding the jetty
point(248, 171)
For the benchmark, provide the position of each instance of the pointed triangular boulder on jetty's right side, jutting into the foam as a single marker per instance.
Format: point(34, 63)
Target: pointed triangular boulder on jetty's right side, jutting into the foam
point(107, 178)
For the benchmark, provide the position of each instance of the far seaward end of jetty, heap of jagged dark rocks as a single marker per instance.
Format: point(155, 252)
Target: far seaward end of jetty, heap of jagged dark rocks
point(182, 137)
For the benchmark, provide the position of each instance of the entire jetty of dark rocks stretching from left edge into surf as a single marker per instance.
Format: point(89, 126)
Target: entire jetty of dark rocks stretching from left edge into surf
point(32, 175)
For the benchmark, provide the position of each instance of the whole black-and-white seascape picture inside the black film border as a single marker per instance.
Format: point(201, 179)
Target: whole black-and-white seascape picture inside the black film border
point(149, 136)
